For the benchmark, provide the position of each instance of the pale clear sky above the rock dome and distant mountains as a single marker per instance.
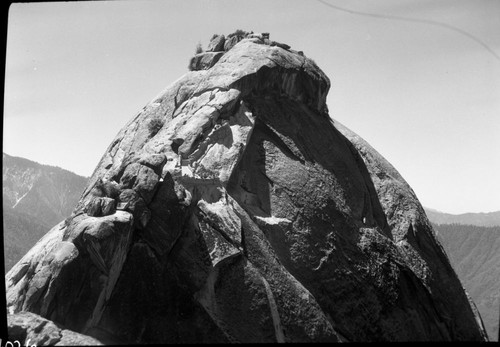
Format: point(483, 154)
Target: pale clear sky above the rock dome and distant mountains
point(418, 79)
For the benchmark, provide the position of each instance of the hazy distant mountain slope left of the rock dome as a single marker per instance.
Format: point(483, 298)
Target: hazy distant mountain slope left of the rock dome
point(35, 198)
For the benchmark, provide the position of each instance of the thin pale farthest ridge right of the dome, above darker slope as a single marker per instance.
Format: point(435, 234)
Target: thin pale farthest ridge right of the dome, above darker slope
point(488, 219)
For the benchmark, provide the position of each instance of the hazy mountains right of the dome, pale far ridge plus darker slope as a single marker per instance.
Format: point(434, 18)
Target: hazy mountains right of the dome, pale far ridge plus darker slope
point(471, 241)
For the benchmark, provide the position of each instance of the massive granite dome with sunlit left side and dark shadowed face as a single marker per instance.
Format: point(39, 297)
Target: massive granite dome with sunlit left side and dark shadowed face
point(233, 209)
